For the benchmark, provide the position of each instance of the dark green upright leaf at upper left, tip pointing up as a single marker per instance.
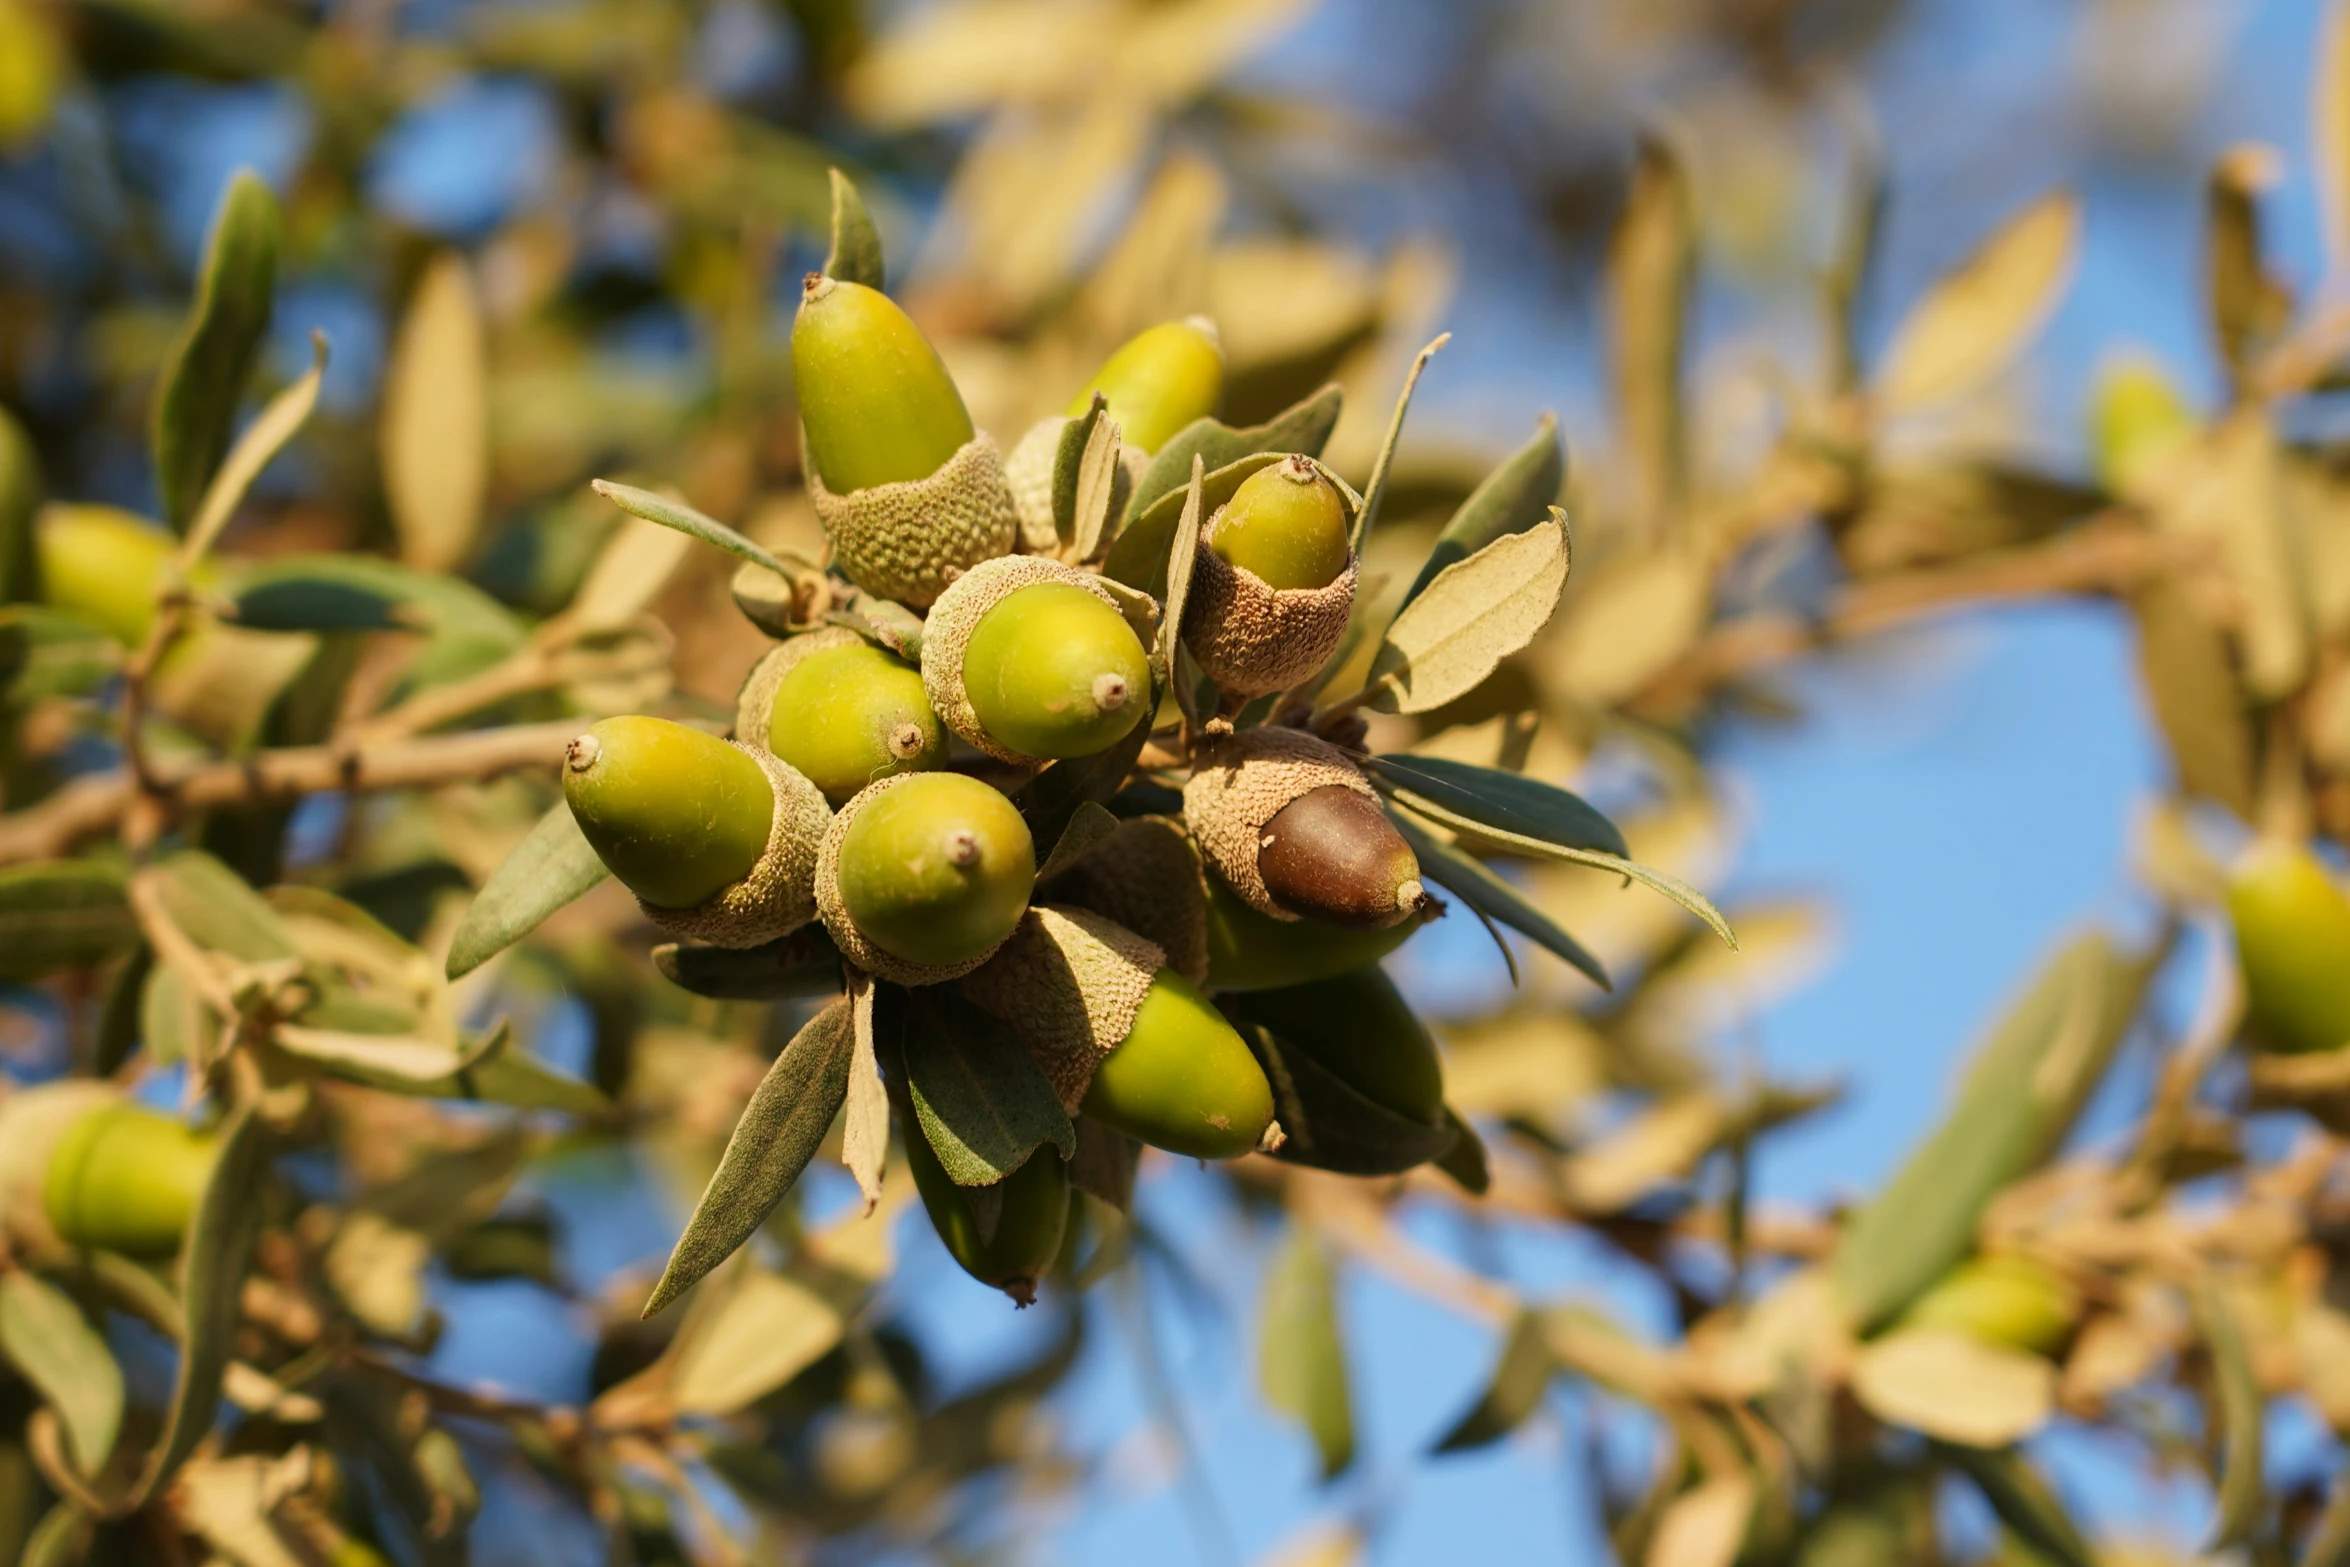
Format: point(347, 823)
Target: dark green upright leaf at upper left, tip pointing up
point(196, 401)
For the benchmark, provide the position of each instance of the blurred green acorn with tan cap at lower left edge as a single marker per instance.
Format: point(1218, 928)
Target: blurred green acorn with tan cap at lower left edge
point(83, 1166)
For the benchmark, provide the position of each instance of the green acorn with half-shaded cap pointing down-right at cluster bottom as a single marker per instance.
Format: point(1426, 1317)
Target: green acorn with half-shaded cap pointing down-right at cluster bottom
point(1127, 1040)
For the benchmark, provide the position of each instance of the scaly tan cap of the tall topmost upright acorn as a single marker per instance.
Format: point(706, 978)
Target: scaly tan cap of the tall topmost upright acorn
point(906, 542)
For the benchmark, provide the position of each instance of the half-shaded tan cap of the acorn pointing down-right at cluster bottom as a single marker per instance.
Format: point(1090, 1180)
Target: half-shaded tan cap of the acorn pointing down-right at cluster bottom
point(1070, 983)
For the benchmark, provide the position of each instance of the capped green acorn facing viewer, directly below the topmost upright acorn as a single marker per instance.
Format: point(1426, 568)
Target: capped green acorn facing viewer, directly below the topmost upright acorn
point(1033, 659)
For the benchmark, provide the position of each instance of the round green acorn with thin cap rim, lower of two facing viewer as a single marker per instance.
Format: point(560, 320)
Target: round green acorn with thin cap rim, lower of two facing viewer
point(925, 875)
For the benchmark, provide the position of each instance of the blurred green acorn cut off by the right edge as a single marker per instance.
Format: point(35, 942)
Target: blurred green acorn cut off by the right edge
point(2292, 939)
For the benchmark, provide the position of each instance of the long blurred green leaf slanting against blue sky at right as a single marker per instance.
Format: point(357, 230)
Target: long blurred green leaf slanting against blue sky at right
point(2013, 1110)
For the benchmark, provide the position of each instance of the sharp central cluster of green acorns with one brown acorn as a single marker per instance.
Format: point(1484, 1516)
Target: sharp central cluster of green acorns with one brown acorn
point(904, 776)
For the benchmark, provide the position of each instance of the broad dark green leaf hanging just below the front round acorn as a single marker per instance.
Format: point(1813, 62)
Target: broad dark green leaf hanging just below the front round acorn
point(981, 1101)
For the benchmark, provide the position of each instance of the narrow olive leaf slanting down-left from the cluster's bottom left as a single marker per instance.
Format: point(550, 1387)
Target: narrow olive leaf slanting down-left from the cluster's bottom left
point(772, 1143)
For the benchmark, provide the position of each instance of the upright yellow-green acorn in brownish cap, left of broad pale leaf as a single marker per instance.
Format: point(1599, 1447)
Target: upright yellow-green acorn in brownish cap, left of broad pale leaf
point(1273, 581)
